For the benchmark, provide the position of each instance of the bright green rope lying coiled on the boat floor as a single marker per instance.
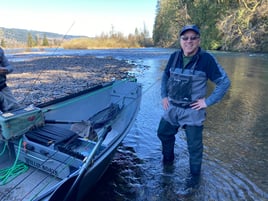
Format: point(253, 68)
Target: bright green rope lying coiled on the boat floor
point(8, 174)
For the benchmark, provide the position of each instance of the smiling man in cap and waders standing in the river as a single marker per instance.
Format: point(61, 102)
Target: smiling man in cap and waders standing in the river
point(183, 92)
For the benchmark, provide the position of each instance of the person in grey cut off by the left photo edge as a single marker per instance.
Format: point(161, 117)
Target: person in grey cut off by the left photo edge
point(7, 100)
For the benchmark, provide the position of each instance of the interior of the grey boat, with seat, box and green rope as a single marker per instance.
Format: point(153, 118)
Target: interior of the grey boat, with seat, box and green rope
point(39, 147)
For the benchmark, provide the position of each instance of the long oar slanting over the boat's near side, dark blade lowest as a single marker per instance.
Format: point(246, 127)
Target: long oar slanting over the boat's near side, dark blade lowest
point(72, 183)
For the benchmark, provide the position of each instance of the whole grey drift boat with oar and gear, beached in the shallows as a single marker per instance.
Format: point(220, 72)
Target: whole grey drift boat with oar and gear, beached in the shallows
point(60, 149)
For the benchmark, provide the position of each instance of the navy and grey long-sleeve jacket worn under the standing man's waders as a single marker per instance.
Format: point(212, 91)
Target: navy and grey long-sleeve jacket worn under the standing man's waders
point(206, 67)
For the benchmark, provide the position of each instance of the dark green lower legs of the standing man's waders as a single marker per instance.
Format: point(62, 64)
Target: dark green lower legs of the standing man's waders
point(166, 133)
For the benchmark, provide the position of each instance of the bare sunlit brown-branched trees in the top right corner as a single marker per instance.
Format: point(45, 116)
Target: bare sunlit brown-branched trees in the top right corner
point(246, 28)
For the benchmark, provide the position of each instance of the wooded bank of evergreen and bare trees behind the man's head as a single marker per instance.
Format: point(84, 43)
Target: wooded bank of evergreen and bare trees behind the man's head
point(228, 25)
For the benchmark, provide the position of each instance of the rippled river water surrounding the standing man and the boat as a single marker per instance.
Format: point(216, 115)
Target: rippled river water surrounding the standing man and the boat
point(235, 136)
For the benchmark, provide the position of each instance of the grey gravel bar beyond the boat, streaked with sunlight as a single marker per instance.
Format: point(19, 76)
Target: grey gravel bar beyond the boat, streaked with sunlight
point(43, 79)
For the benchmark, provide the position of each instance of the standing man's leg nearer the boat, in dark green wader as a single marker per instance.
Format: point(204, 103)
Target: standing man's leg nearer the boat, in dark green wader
point(166, 133)
